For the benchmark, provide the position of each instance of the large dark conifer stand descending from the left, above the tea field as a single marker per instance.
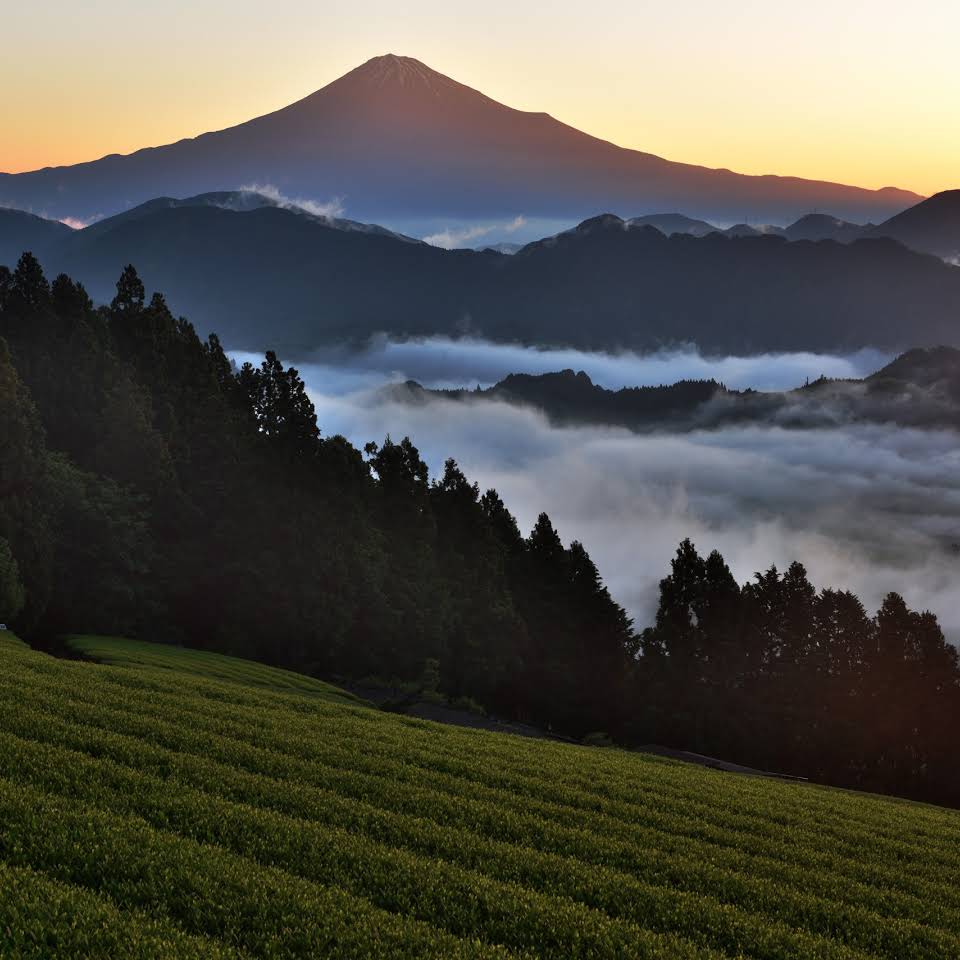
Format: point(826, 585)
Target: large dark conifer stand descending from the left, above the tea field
point(149, 488)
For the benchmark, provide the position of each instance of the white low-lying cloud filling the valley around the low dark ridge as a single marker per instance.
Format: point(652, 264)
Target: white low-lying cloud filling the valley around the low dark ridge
point(870, 508)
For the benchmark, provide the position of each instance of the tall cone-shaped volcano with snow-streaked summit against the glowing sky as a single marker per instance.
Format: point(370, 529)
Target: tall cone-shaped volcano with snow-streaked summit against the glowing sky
point(397, 140)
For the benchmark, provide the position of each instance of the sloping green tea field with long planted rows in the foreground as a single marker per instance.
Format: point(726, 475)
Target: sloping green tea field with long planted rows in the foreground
point(178, 804)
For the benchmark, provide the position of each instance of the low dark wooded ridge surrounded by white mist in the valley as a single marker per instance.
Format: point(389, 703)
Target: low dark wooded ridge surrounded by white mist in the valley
point(921, 388)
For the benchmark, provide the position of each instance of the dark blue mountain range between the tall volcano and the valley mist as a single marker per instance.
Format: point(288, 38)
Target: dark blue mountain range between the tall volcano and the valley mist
point(262, 274)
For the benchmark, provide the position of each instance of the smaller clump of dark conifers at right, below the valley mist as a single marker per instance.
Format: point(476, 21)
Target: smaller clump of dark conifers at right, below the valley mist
point(776, 675)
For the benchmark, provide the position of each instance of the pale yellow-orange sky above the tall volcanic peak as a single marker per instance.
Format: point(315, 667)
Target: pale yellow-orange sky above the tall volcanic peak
point(847, 90)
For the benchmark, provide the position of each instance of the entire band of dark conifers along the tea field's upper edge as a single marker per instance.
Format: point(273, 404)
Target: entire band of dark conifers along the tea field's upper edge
point(148, 488)
